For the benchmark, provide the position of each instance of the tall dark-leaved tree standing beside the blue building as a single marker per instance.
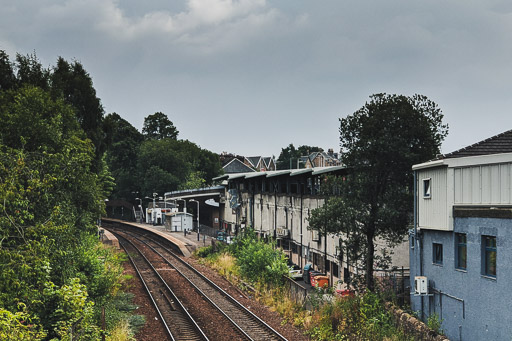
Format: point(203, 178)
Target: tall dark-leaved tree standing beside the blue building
point(380, 143)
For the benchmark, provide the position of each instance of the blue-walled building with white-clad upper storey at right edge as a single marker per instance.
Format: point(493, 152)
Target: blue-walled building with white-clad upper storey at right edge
point(461, 244)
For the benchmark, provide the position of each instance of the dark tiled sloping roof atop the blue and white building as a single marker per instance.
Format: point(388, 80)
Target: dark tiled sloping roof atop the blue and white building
point(498, 144)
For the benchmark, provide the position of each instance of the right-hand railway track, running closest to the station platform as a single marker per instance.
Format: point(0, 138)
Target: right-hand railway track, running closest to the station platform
point(250, 325)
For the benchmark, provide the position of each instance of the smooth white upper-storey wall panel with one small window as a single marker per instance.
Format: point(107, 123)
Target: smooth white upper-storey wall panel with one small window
point(433, 211)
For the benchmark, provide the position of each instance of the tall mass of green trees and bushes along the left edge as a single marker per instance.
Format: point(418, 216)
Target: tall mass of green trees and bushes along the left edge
point(54, 273)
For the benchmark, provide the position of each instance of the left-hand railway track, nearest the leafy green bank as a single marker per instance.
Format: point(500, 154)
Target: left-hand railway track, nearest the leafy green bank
point(177, 321)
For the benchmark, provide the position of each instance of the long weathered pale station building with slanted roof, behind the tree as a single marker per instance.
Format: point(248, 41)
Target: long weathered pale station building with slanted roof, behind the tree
point(278, 204)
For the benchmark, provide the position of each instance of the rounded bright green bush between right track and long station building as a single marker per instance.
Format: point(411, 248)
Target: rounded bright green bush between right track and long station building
point(259, 262)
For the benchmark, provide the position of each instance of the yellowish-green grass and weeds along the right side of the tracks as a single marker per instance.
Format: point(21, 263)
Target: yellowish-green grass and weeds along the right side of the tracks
point(361, 317)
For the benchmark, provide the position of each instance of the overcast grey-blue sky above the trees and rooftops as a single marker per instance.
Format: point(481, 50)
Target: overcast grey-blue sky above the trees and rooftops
point(252, 76)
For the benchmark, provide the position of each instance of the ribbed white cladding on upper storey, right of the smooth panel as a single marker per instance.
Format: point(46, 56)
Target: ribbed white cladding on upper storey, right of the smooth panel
point(483, 185)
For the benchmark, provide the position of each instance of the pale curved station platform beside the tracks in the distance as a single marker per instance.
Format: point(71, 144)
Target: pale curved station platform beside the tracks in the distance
point(186, 243)
